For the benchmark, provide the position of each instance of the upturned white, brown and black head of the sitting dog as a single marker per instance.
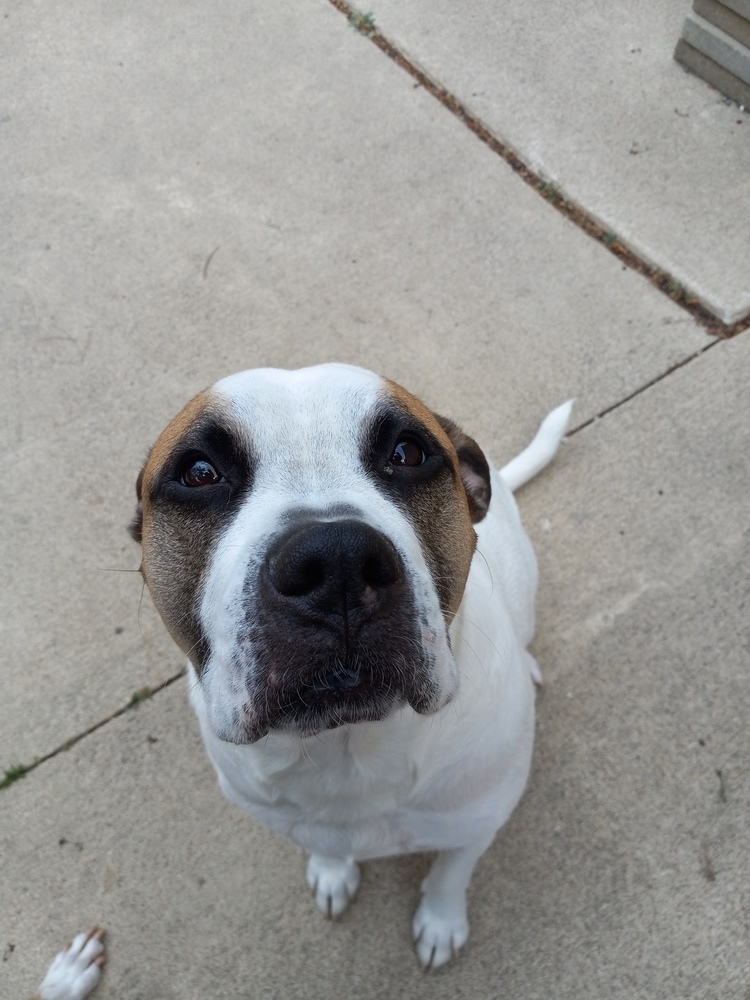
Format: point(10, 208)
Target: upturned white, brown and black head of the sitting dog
point(306, 537)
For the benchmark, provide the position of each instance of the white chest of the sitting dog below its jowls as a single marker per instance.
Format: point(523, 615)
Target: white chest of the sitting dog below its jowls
point(375, 791)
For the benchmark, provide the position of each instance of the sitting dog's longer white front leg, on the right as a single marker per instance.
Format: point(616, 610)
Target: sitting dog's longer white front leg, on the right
point(440, 924)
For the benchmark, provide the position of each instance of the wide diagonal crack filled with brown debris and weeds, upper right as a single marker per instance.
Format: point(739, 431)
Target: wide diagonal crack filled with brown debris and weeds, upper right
point(661, 279)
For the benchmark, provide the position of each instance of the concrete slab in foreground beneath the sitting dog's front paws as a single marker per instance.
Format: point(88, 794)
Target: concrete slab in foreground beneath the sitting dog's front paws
point(623, 871)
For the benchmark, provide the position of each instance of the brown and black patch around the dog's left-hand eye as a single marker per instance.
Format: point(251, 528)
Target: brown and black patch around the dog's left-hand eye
point(177, 525)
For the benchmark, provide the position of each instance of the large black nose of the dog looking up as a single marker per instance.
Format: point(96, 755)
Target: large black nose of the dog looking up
point(335, 567)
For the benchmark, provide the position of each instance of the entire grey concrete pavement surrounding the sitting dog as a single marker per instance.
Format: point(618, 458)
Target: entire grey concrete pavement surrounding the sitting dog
point(192, 190)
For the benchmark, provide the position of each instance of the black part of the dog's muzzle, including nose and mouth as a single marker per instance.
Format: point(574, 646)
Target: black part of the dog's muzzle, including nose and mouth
point(335, 631)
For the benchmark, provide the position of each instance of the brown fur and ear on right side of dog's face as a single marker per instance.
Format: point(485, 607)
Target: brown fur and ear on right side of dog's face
point(444, 507)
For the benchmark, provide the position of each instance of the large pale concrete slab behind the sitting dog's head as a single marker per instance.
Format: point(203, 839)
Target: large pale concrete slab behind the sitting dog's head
point(192, 191)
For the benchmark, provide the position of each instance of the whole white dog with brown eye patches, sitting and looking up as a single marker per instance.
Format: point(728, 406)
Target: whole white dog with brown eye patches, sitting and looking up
point(357, 649)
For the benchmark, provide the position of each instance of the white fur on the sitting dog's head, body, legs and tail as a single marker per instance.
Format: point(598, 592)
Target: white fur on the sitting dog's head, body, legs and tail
point(444, 778)
